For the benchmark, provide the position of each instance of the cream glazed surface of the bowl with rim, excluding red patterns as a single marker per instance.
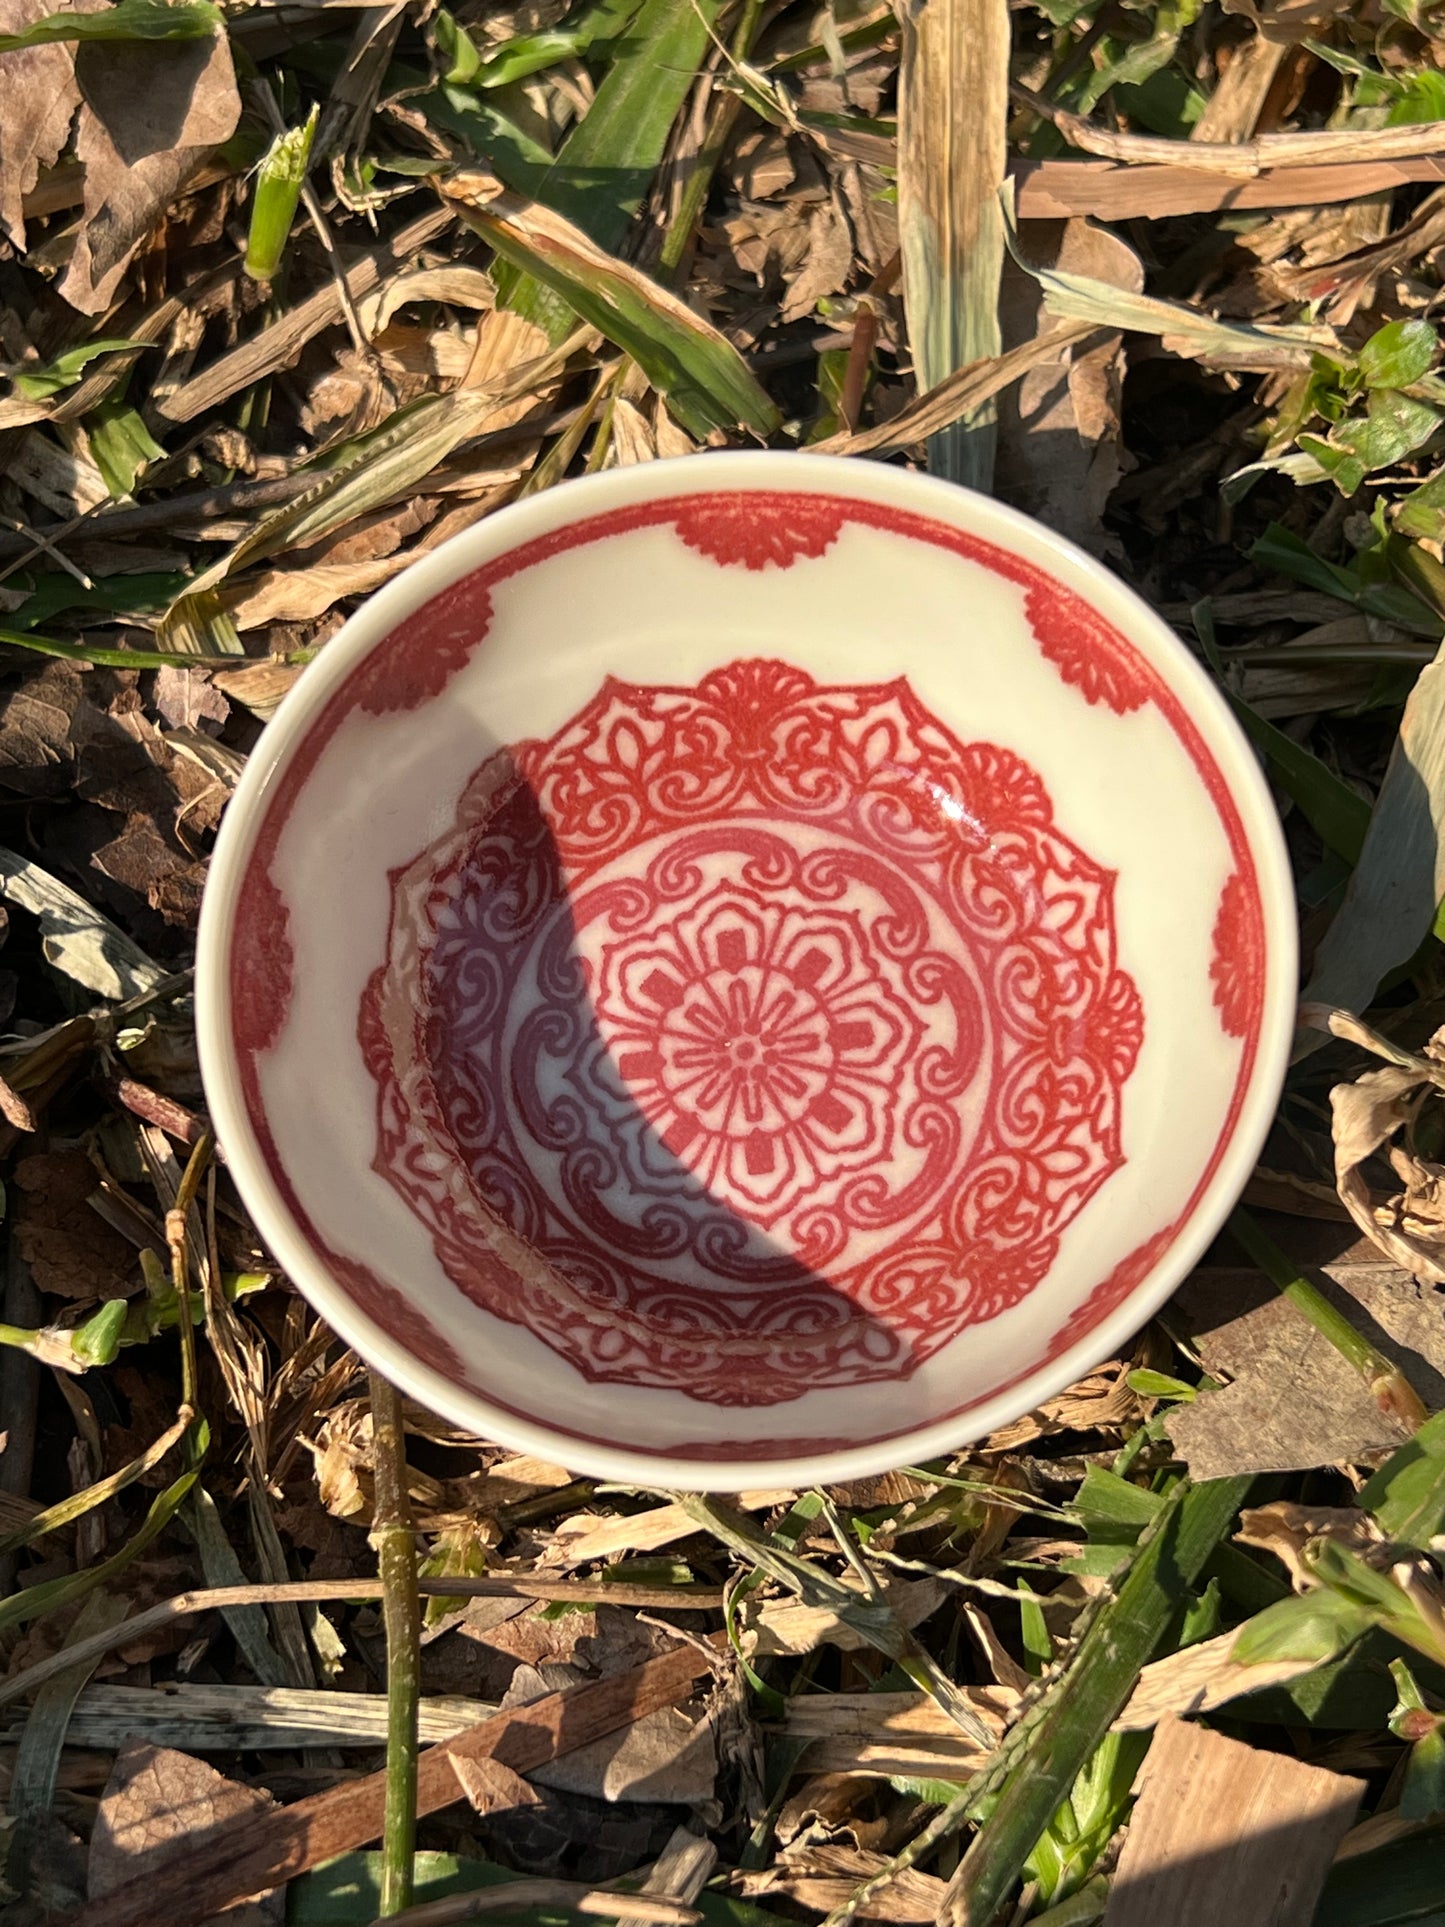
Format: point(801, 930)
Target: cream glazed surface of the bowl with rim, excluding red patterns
point(648, 610)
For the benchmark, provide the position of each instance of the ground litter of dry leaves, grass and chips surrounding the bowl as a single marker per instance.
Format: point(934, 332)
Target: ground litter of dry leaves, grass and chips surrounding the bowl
point(288, 298)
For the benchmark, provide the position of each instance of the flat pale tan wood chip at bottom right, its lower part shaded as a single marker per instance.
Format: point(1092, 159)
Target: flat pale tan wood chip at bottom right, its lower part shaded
point(1228, 1834)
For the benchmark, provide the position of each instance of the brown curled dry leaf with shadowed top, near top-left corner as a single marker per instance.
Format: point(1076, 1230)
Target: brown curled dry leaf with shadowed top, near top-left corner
point(153, 115)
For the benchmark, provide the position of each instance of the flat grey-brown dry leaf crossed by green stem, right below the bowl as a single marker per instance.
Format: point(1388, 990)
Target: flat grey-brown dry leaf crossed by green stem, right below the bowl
point(1296, 1402)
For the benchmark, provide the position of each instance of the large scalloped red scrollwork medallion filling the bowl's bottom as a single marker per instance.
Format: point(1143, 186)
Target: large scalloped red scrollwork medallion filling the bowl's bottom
point(752, 1038)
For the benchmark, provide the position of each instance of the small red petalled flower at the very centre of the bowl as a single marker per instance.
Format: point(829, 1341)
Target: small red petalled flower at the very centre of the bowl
point(750, 1049)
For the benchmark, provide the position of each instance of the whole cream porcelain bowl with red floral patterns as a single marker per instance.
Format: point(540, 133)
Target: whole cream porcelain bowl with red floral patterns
point(747, 970)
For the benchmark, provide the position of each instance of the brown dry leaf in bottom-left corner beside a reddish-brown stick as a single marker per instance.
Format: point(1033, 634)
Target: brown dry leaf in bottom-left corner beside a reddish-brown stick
point(161, 1808)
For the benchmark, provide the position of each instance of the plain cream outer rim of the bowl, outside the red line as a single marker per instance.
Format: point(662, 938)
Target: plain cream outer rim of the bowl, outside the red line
point(579, 502)
